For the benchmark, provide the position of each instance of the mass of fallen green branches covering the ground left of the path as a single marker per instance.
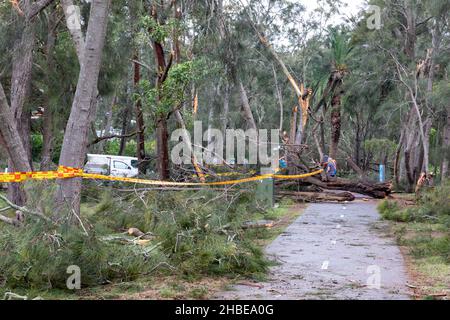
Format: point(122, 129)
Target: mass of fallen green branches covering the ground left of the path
point(193, 233)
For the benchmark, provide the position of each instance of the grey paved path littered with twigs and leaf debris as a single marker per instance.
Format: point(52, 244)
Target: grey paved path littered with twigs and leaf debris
point(332, 251)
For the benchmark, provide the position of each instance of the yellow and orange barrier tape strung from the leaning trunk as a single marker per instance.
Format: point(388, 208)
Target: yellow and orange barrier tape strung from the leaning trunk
point(67, 173)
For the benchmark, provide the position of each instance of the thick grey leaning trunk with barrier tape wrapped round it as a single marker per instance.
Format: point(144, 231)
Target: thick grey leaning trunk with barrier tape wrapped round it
point(75, 142)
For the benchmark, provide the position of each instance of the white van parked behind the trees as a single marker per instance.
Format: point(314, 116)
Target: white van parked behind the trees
point(115, 166)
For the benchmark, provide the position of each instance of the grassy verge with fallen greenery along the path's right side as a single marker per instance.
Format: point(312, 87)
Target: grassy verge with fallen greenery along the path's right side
point(421, 228)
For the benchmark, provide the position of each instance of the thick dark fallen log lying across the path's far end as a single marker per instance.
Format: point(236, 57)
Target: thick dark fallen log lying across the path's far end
point(377, 191)
